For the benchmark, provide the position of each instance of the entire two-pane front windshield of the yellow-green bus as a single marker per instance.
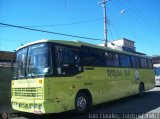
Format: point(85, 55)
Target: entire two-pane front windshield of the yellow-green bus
point(35, 62)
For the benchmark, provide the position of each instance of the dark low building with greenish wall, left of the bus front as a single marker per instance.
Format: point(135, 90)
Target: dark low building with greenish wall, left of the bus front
point(6, 75)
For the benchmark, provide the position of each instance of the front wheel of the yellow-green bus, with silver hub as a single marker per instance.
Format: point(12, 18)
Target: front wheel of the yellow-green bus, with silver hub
point(82, 104)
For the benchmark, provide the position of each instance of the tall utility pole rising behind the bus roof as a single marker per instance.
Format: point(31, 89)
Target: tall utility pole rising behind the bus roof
point(103, 4)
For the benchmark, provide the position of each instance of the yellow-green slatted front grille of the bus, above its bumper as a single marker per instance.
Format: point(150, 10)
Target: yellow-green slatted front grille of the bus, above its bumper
point(27, 92)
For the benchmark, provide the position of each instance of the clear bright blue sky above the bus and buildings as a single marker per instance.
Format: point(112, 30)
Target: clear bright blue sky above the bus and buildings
point(140, 22)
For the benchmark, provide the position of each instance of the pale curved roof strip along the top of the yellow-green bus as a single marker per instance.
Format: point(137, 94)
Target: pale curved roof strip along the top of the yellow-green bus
point(79, 44)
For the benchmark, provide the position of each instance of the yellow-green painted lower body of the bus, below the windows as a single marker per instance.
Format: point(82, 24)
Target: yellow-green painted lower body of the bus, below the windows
point(54, 95)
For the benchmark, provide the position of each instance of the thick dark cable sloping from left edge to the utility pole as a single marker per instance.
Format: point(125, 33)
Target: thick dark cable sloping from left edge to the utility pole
point(38, 30)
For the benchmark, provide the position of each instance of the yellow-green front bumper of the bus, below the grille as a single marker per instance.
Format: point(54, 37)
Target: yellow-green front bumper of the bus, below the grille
point(37, 106)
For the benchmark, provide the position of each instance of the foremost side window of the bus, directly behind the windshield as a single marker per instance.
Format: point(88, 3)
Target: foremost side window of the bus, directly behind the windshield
point(68, 61)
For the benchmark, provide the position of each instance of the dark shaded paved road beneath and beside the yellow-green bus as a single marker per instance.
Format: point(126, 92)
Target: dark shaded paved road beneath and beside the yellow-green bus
point(145, 107)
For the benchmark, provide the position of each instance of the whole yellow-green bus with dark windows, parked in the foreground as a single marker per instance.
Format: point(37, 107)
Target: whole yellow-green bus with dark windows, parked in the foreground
point(53, 76)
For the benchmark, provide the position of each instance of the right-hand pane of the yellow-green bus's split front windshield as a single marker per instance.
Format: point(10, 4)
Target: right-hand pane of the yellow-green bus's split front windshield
point(39, 60)
